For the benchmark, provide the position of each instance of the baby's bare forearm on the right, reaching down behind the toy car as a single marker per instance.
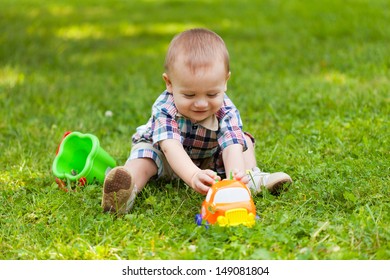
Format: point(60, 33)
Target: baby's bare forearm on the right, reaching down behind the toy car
point(233, 159)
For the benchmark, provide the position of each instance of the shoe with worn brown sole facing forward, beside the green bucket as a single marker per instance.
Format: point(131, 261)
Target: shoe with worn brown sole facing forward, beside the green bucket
point(118, 189)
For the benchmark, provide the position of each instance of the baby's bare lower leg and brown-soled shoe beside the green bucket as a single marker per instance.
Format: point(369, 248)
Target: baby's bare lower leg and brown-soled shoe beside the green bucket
point(122, 184)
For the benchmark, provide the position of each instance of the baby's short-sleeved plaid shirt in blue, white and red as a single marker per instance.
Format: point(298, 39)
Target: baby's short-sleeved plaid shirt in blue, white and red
point(199, 142)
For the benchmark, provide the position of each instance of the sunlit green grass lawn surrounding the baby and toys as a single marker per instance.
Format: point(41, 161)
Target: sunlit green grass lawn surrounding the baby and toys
point(311, 80)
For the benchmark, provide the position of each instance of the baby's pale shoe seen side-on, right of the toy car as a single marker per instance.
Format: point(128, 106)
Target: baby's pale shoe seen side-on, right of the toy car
point(275, 183)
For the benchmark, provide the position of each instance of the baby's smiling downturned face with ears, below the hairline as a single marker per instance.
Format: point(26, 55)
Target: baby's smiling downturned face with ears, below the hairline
point(197, 95)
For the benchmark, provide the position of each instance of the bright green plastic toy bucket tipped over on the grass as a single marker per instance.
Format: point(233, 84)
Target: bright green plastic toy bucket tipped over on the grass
point(80, 156)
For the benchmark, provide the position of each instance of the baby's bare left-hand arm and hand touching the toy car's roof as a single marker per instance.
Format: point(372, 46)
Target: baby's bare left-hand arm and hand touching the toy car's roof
point(182, 165)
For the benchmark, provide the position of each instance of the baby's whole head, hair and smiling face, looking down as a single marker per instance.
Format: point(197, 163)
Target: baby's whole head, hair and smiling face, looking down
point(196, 72)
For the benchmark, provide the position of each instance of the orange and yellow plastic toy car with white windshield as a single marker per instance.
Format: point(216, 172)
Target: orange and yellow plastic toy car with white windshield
point(228, 203)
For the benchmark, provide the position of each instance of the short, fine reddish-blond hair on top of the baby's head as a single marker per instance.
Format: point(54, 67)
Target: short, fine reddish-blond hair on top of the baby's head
point(198, 48)
